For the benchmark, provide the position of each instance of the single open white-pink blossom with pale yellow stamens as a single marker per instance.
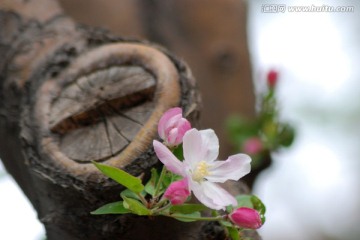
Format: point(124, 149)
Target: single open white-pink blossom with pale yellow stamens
point(201, 169)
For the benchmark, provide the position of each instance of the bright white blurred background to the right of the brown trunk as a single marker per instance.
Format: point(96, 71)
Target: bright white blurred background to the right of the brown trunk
point(312, 188)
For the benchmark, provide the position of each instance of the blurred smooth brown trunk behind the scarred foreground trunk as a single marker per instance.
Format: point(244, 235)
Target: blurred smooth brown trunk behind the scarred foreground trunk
point(210, 35)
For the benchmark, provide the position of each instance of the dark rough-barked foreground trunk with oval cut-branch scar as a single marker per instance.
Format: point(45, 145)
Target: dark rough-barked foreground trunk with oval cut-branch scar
point(70, 95)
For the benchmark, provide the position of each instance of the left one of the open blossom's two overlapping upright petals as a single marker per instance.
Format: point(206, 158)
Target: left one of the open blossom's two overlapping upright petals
point(192, 147)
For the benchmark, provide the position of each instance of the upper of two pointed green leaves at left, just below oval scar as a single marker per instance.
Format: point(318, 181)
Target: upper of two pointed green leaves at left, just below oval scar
point(121, 177)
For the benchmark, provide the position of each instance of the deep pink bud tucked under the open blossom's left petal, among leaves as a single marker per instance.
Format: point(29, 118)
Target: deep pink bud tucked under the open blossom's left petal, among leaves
point(178, 192)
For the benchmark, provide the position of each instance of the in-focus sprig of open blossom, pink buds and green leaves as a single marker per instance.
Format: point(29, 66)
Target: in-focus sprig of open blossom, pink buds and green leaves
point(190, 167)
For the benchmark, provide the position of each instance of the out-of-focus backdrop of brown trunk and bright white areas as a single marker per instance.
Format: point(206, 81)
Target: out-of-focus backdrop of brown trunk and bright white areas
point(311, 189)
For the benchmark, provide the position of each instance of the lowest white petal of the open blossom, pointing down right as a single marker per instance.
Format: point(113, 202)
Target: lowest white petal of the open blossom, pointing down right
point(212, 195)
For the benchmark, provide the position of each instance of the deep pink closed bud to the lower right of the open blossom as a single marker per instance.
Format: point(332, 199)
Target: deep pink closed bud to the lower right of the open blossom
point(246, 218)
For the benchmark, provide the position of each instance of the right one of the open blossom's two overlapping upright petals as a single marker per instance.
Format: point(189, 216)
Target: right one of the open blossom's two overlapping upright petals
point(210, 144)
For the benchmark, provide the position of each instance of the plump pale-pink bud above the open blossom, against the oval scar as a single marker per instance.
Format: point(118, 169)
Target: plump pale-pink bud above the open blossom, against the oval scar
point(172, 127)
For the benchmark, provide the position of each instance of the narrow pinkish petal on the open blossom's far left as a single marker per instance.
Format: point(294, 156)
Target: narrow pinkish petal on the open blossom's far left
point(168, 159)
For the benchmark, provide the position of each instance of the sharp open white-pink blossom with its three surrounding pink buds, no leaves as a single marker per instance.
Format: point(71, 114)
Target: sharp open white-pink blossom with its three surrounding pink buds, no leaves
point(200, 169)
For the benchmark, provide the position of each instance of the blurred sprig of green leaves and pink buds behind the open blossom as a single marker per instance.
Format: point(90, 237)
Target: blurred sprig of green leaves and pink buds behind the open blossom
point(265, 133)
